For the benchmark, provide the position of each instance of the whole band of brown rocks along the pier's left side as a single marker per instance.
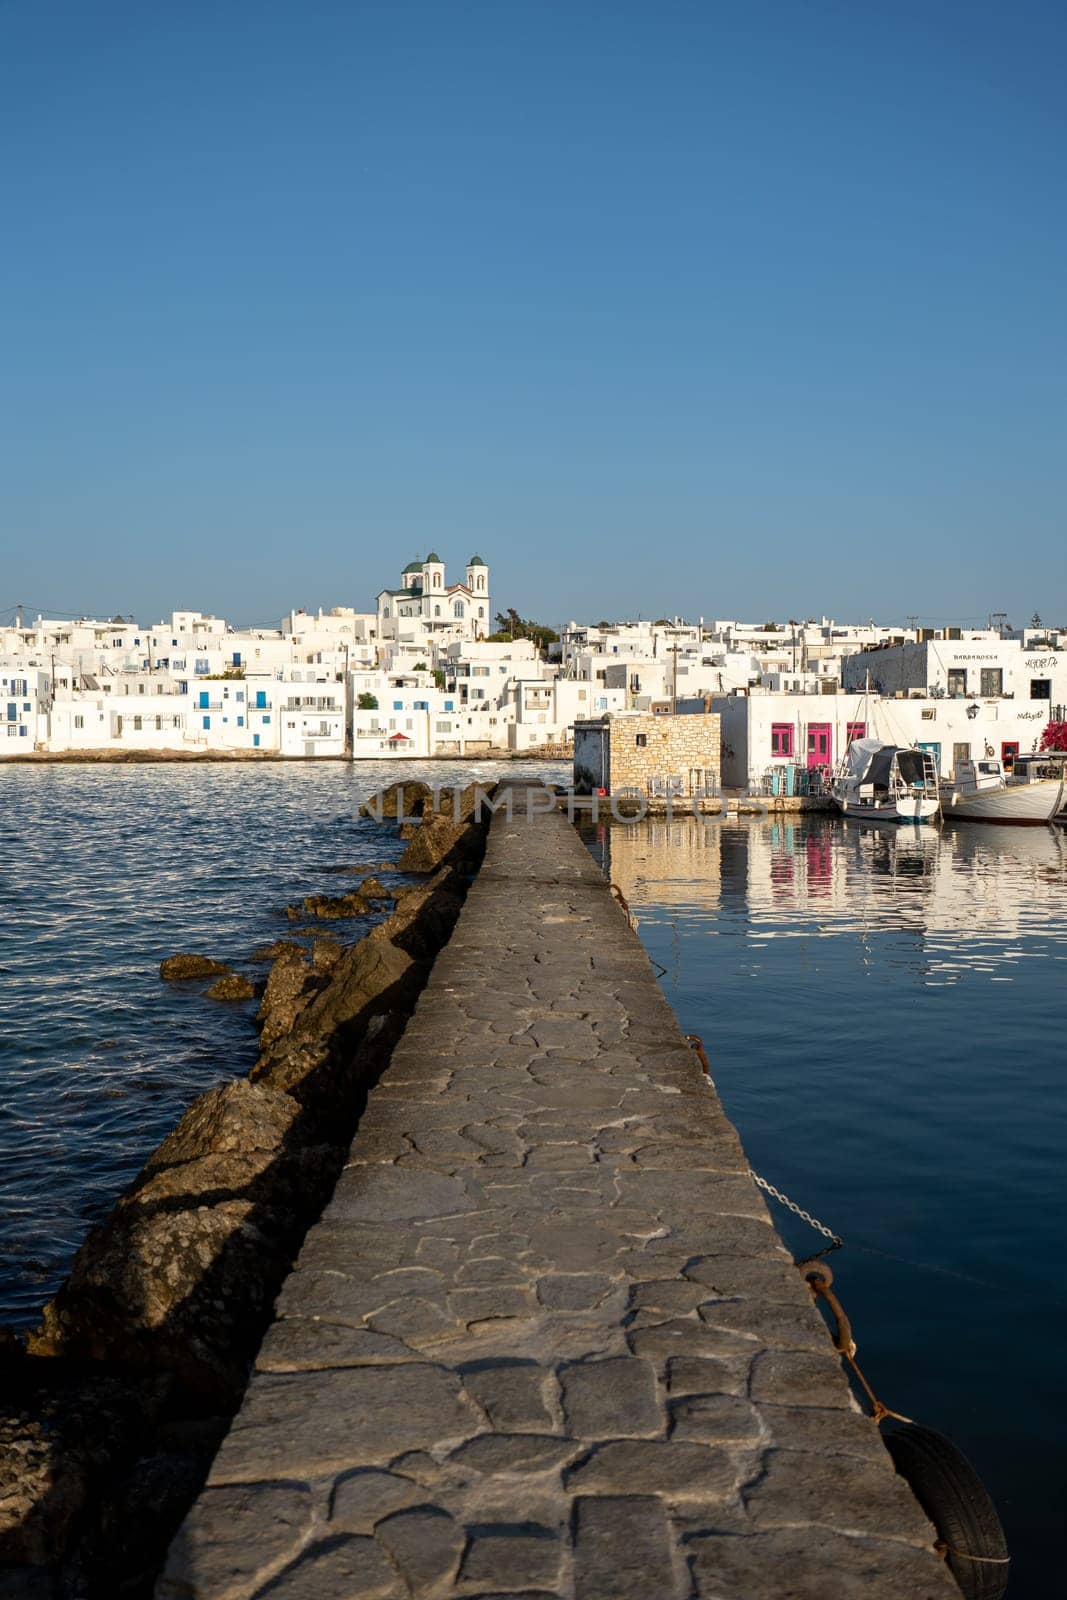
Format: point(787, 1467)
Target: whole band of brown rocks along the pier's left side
point(113, 1409)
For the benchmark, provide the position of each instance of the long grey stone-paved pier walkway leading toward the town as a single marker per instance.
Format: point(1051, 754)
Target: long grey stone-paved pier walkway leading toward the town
point(545, 1342)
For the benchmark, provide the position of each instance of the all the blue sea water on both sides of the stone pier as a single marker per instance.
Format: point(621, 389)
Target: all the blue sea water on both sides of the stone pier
point(884, 1012)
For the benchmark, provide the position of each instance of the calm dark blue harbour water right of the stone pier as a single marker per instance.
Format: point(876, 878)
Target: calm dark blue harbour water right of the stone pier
point(885, 1015)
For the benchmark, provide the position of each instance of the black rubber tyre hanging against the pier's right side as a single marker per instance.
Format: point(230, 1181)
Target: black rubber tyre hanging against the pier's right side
point(956, 1500)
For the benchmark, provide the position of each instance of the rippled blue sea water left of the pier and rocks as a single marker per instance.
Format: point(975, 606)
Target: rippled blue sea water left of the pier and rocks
point(103, 873)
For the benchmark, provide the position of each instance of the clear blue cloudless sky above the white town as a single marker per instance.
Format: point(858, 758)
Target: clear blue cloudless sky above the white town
point(703, 308)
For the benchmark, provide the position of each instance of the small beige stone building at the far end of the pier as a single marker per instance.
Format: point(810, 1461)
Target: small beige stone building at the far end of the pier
point(650, 754)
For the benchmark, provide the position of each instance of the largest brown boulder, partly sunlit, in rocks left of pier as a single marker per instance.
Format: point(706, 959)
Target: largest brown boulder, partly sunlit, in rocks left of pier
point(183, 1273)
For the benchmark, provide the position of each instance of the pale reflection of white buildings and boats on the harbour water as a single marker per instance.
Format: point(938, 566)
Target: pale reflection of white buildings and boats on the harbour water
point(967, 894)
